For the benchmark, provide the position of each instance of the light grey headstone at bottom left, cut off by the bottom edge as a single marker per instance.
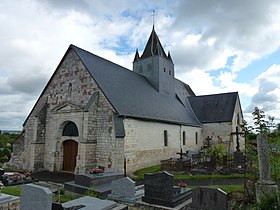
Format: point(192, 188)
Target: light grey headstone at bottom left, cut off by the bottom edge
point(34, 197)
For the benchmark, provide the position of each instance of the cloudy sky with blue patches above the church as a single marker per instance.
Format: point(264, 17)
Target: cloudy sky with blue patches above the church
point(217, 46)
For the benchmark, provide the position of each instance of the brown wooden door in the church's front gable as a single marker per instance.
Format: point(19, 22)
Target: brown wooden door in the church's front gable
point(70, 150)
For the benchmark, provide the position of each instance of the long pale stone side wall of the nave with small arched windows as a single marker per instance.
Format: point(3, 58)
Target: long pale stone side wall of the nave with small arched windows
point(144, 142)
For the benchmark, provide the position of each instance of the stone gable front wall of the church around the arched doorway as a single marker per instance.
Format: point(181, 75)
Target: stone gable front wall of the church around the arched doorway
point(67, 94)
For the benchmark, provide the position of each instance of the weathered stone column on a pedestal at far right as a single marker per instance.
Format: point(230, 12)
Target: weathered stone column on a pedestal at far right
point(265, 185)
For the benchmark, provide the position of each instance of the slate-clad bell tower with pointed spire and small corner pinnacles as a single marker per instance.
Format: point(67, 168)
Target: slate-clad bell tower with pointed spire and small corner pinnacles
point(156, 66)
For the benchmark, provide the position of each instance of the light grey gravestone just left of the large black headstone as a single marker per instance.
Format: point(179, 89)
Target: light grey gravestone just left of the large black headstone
point(124, 190)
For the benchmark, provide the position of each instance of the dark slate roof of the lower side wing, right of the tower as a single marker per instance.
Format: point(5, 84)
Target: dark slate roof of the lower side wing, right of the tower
point(214, 108)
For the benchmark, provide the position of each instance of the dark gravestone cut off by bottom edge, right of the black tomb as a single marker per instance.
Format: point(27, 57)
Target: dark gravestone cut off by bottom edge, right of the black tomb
point(209, 199)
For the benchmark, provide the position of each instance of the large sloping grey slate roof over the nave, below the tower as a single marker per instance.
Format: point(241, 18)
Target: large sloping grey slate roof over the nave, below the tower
point(133, 95)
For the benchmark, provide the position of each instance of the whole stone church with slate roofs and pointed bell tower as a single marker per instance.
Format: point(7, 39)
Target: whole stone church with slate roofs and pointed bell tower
point(93, 112)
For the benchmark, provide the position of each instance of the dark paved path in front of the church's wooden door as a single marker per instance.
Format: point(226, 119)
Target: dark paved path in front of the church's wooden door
point(56, 177)
